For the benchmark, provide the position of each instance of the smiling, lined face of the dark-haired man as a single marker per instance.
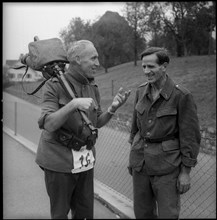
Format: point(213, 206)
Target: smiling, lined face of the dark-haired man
point(153, 71)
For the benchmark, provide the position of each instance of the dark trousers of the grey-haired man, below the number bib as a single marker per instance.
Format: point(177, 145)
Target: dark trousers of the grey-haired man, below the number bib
point(69, 191)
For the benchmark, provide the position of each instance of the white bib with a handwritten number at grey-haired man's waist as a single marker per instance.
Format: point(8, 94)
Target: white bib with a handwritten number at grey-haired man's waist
point(82, 160)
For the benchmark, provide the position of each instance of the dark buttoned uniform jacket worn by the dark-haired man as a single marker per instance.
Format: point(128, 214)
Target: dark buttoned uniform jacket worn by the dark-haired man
point(164, 133)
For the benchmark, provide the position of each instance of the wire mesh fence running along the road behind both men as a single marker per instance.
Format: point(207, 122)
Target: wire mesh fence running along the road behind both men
point(112, 154)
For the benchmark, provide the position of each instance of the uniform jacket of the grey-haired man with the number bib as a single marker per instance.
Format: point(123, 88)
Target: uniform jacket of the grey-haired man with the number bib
point(51, 153)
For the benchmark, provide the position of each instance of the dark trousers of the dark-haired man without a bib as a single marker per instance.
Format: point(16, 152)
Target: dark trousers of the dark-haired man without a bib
point(156, 196)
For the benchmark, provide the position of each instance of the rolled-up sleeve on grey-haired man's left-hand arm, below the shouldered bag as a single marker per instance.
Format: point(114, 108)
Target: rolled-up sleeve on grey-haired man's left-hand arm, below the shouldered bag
point(49, 103)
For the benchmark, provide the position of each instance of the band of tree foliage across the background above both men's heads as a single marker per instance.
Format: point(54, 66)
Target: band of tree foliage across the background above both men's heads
point(184, 28)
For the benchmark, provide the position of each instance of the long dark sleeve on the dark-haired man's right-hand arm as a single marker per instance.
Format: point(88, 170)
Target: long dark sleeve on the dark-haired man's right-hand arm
point(189, 131)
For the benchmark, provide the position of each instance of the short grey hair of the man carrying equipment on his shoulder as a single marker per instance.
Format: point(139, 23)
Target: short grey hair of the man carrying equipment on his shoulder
point(77, 48)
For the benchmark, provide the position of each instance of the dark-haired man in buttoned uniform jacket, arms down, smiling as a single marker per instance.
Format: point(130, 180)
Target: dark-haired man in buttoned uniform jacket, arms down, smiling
point(165, 140)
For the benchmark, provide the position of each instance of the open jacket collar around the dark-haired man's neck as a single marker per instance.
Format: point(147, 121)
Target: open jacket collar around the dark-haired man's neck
point(166, 90)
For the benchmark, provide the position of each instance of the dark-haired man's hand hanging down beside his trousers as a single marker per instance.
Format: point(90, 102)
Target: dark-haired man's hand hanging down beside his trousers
point(184, 181)
